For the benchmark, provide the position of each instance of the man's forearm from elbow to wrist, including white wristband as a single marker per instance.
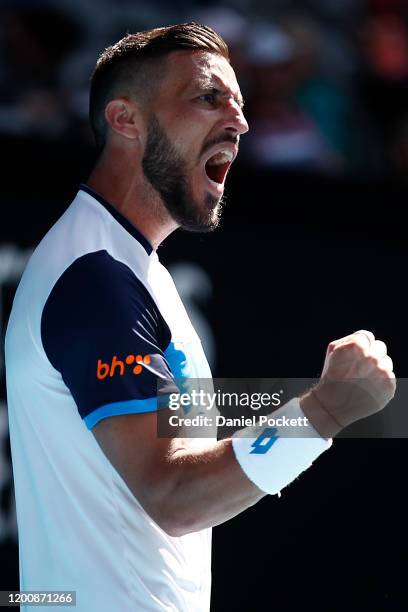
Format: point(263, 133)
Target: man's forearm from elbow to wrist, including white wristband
point(213, 485)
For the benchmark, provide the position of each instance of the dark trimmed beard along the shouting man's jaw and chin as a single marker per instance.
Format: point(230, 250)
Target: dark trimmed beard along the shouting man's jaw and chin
point(167, 171)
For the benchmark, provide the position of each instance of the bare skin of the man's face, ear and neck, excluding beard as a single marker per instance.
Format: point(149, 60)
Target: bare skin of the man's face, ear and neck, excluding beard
point(193, 120)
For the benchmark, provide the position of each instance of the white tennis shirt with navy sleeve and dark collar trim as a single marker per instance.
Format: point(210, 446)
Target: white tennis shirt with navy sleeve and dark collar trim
point(93, 302)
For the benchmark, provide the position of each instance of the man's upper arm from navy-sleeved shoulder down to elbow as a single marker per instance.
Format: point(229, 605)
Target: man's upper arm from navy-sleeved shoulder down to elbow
point(103, 332)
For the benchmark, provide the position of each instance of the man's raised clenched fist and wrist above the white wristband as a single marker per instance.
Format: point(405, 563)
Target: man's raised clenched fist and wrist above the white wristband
point(357, 381)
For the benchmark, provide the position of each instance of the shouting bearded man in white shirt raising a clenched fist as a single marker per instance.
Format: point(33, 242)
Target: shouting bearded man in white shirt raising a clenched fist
point(106, 507)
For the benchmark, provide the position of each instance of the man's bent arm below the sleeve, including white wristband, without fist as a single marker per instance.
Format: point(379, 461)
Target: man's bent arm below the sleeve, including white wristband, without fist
point(185, 489)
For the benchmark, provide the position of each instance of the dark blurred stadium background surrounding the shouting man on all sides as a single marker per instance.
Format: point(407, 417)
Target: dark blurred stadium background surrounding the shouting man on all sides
point(312, 247)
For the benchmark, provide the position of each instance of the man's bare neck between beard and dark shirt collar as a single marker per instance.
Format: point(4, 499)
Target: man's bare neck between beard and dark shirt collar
point(127, 189)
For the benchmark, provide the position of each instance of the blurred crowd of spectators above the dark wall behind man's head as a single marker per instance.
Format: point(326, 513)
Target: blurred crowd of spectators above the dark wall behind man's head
point(308, 106)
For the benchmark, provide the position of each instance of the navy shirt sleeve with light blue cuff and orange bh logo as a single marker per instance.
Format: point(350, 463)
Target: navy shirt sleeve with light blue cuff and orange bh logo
point(103, 332)
